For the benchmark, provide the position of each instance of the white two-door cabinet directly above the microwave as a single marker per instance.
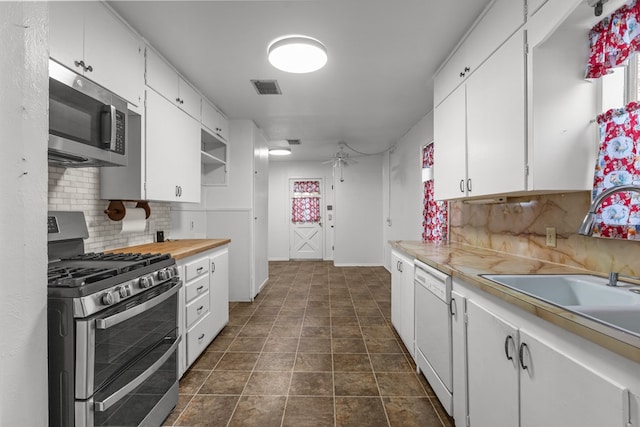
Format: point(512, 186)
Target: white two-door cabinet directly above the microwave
point(89, 39)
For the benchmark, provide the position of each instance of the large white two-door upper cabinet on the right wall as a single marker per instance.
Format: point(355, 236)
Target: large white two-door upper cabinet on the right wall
point(480, 129)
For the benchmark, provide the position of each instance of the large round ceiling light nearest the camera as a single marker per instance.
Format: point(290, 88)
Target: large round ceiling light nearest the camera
point(297, 54)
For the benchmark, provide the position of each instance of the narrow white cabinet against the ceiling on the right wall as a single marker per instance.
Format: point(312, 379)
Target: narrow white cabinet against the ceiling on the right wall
point(498, 23)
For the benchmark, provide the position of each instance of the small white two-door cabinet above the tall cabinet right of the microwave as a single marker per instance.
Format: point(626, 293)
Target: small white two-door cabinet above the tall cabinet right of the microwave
point(167, 82)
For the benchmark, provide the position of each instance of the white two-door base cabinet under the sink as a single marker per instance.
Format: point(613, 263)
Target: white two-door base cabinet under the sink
point(523, 371)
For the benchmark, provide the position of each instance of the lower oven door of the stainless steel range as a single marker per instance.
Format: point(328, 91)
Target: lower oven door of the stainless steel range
point(132, 408)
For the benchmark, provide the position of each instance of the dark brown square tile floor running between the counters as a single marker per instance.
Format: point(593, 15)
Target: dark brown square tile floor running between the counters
point(315, 348)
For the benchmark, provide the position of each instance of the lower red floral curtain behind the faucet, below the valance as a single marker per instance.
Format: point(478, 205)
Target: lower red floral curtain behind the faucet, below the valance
point(618, 164)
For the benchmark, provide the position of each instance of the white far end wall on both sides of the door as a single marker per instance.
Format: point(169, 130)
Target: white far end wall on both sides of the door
point(358, 209)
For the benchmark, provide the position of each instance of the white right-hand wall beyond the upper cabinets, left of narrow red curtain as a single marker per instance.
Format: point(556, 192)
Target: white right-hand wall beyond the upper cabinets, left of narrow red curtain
point(403, 188)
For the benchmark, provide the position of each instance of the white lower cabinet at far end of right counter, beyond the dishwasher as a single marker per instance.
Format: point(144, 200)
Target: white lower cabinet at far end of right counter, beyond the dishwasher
point(402, 299)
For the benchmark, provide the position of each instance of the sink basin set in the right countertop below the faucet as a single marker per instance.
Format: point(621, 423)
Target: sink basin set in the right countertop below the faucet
point(584, 294)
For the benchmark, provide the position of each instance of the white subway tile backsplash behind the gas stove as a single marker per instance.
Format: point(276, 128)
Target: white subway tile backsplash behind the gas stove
point(79, 190)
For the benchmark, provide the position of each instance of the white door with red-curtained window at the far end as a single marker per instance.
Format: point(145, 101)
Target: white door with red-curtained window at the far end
point(305, 232)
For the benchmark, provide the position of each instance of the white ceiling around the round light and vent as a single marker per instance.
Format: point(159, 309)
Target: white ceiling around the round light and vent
point(376, 85)
